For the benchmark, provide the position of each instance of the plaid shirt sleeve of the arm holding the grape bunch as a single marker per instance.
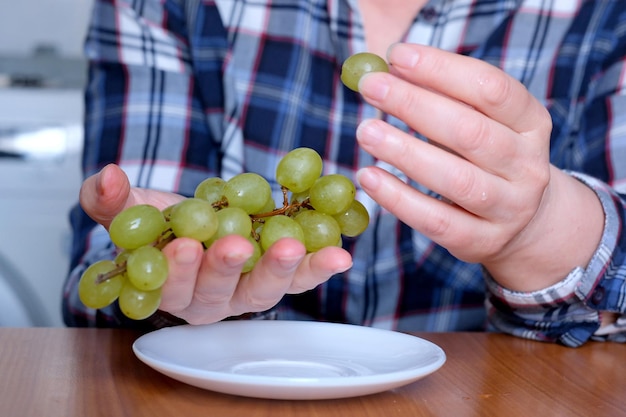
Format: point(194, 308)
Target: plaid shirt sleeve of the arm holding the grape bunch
point(142, 113)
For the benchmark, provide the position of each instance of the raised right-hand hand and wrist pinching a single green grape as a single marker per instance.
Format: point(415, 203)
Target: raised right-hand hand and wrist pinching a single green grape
point(504, 205)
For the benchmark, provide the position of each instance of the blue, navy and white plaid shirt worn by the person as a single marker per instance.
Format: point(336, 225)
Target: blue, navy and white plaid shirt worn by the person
point(181, 90)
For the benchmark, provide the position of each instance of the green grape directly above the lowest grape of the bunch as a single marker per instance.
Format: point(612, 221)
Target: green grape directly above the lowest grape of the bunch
point(146, 268)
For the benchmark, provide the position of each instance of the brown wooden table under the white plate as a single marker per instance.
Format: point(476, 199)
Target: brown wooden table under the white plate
point(93, 372)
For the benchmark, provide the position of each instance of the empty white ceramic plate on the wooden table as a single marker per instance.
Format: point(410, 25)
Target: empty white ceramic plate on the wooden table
point(289, 359)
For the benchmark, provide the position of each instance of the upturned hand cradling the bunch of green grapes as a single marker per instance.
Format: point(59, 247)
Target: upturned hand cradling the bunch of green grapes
point(206, 286)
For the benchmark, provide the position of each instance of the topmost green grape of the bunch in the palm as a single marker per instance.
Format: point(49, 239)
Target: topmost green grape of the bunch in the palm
point(299, 169)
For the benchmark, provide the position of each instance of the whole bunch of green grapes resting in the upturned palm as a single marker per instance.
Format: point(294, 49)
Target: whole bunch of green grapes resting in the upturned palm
point(316, 210)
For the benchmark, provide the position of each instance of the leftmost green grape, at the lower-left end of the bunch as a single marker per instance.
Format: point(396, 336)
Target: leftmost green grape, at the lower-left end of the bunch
point(99, 295)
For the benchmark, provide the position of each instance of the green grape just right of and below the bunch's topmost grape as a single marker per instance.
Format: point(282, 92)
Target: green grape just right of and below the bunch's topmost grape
point(332, 194)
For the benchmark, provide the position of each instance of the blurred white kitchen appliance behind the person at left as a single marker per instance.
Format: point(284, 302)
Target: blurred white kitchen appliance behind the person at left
point(40, 146)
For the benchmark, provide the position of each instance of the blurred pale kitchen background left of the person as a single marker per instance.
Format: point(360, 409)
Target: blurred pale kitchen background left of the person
point(42, 73)
